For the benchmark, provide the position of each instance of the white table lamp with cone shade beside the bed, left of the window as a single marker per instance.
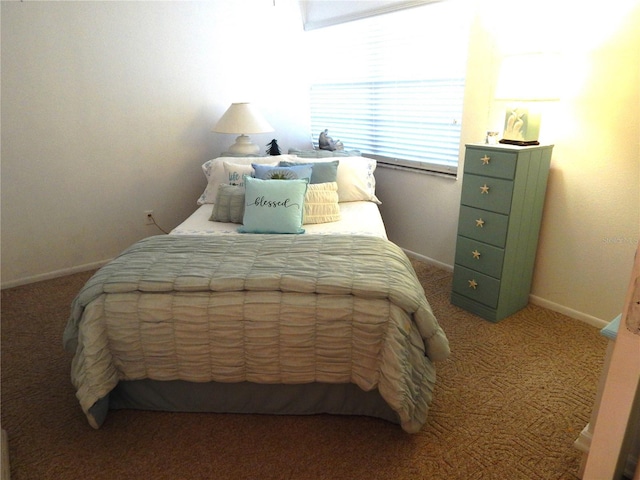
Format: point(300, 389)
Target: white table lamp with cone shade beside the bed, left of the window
point(241, 119)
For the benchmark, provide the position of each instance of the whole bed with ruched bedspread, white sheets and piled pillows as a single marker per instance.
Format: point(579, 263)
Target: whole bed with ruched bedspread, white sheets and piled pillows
point(244, 310)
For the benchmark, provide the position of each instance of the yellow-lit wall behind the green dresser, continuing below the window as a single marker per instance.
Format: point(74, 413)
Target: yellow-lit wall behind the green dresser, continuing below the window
point(591, 221)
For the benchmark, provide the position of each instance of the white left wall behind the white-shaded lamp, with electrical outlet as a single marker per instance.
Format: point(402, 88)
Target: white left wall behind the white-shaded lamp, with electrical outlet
point(107, 109)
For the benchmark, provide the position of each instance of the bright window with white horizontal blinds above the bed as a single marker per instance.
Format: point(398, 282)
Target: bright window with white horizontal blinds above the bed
point(392, 86)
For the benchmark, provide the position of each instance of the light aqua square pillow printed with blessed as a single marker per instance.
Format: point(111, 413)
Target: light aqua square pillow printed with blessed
point(273, 206)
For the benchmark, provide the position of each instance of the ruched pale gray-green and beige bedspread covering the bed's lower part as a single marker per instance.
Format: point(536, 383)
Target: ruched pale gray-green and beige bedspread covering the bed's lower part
point(259, 308)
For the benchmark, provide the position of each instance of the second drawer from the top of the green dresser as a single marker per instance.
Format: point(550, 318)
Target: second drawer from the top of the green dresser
point(488, 193)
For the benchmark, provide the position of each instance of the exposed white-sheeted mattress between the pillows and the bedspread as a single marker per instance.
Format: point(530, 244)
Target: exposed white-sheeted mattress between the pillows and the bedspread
point(358, 218)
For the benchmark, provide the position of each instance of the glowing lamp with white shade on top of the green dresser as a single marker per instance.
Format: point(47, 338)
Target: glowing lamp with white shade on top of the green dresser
point(525, 80)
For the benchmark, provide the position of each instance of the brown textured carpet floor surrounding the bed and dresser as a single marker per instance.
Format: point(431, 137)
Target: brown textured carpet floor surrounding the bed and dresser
point(508, 404)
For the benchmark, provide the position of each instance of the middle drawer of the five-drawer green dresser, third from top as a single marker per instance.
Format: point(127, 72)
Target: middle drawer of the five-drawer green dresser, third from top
point(488, 227)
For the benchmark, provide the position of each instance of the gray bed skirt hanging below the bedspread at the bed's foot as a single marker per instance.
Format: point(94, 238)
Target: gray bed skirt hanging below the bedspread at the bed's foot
point(245, 397)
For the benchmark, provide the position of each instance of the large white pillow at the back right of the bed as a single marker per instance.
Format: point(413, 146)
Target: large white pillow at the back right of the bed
point(355, 178)
